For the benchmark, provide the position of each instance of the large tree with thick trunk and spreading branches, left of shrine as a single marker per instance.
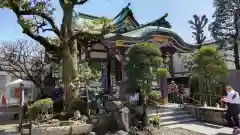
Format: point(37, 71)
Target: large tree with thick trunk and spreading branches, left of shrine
point(36, 17)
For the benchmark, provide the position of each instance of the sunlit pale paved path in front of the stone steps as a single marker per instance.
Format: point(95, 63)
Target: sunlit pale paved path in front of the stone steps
point(205, 128)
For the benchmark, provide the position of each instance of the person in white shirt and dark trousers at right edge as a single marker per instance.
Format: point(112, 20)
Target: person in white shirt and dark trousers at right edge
point(233, 108)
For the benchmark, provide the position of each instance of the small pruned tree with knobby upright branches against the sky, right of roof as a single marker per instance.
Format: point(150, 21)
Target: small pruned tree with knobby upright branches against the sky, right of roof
point(197, 24)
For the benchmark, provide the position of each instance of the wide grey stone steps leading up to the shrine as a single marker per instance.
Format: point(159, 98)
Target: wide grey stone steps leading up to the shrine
point(171, 115)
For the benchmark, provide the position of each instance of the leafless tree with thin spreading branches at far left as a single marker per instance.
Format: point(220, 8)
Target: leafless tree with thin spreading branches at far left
point(24, 59)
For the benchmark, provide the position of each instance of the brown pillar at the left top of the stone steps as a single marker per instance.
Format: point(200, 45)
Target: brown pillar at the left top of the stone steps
point(164, 89)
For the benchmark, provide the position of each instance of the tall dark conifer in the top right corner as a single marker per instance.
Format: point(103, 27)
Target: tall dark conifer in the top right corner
point(224, 28)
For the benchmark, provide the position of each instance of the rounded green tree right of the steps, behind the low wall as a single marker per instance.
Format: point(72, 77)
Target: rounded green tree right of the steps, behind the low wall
point(208, 65)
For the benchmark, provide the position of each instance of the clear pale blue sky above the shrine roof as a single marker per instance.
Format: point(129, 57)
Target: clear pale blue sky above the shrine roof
point(144, 11)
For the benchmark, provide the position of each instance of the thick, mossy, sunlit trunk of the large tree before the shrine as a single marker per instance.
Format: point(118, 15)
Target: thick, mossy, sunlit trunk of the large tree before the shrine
point(69, 54)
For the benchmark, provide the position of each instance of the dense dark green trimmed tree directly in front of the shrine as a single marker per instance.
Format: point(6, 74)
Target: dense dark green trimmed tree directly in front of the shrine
point(144, 59)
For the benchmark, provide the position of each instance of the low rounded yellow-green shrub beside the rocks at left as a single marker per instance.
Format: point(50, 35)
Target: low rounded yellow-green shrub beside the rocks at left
point(39, 109)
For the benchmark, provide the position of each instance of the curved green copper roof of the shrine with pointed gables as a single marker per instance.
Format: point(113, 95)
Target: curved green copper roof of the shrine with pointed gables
point(127, 26)
